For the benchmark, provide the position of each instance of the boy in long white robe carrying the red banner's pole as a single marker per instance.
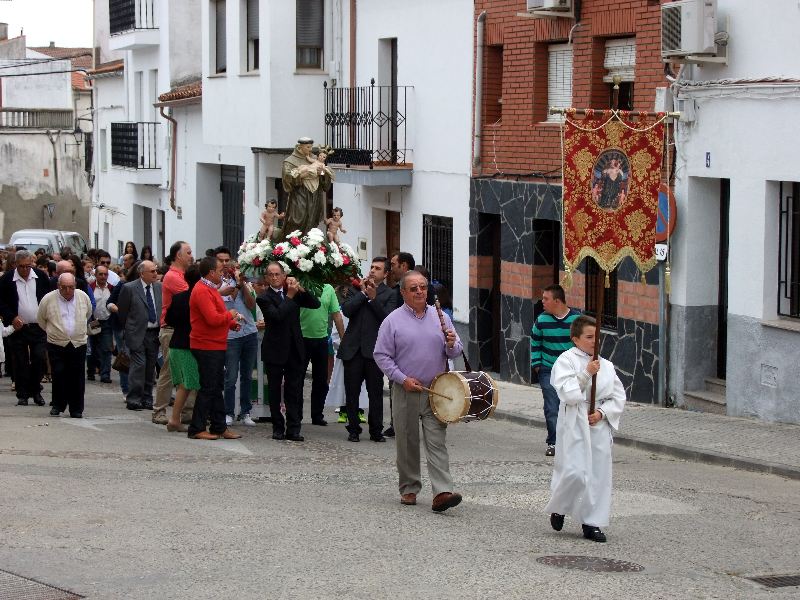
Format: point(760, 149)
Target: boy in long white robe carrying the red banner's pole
point(581, 483)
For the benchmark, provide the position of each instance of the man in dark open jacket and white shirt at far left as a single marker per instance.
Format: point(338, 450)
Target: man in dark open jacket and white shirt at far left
point(21, 291)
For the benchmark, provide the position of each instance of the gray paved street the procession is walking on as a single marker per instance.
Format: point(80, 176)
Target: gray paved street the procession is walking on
point(114, 507)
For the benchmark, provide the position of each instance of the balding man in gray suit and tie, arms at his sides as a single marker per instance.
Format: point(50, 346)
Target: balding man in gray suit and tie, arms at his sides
point(138, 308)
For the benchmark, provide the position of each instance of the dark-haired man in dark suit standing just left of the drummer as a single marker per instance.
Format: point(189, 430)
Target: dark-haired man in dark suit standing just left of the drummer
point(366, 308)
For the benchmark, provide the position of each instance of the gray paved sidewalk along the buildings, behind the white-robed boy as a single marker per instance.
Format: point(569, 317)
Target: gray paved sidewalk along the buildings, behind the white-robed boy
point(750, 444)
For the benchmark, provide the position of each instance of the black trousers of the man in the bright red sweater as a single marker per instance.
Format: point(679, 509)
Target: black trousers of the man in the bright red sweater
point(210, 403)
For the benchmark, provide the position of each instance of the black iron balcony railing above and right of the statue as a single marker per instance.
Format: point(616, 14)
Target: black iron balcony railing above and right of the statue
point(367, 125)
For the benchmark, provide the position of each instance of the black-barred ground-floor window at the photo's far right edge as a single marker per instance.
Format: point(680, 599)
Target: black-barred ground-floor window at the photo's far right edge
point(789, 252)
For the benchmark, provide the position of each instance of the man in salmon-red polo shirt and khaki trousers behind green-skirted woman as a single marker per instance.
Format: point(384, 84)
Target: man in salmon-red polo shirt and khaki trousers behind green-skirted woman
point(179, 259)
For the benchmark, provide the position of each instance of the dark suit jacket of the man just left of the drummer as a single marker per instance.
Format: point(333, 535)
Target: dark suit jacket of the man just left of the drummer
point(365, 318)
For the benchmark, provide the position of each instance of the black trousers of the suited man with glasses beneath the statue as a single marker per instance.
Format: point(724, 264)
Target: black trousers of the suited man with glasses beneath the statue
point(291, 374)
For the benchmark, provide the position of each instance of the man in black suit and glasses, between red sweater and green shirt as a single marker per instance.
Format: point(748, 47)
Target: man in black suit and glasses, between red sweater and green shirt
point(282, 349)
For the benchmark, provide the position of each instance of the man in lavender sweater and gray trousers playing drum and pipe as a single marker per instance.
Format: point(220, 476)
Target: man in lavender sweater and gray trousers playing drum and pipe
point(411, 350)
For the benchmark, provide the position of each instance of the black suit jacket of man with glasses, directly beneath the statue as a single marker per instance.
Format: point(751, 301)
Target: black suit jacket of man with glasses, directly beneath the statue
point(282, 324)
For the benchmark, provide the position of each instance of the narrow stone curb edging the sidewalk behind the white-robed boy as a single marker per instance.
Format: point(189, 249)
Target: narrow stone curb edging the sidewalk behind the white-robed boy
point(686, 453)
